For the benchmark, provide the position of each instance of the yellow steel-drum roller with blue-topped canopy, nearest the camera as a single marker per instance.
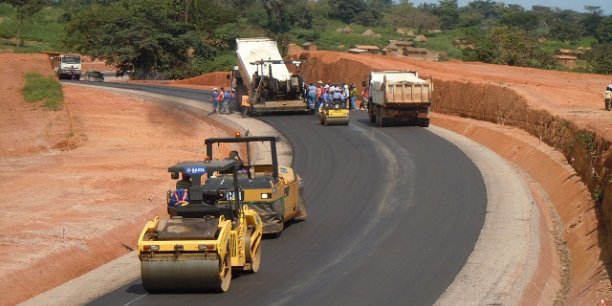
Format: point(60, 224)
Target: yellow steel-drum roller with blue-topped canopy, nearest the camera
point(209, 233)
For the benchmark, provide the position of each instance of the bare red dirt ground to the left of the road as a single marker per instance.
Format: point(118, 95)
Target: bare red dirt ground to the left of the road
point(79, 183)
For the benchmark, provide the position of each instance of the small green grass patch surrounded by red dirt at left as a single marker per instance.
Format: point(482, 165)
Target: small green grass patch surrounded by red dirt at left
point(46, 89)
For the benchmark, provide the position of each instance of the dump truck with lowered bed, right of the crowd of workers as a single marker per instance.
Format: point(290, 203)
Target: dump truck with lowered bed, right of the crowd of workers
point(399, 97)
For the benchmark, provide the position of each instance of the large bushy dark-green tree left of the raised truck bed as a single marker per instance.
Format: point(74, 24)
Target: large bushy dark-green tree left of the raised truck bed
point(143, 36)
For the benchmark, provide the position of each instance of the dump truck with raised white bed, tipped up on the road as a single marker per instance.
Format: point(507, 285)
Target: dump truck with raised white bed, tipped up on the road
point(262, 79)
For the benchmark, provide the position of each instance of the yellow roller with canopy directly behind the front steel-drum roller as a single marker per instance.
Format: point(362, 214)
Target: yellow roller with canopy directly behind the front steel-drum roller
point(274, 191)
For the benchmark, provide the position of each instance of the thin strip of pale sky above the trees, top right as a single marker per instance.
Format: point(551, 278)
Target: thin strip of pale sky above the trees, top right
point(576, 5)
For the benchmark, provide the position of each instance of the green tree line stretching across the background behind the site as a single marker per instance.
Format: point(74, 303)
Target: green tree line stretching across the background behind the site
point(179, 38)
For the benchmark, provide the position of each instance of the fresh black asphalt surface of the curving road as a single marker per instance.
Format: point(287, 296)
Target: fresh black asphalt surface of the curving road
point(394, 214)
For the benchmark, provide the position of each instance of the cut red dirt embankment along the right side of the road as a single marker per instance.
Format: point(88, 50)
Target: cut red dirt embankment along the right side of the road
point(564, 110)
